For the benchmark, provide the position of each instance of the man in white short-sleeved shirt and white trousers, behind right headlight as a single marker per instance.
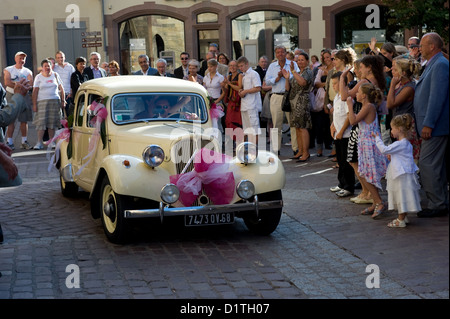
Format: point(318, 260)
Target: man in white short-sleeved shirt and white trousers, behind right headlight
point(251, 103)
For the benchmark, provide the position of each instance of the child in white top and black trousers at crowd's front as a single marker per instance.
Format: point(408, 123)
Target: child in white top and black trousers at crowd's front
point(340, 131)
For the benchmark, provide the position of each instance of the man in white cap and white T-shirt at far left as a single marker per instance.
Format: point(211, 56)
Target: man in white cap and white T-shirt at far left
point(13, 74)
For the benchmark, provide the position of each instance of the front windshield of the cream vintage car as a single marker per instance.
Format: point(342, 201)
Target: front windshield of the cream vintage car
point(133, 107)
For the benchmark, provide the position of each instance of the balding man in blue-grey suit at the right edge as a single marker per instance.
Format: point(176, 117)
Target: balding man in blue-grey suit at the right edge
point(431, 109)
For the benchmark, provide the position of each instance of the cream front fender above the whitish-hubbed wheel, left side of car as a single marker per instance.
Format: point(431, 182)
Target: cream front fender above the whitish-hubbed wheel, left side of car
point(130, 176)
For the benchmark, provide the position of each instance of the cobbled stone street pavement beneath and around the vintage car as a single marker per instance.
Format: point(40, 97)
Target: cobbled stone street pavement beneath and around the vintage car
point(319, 251)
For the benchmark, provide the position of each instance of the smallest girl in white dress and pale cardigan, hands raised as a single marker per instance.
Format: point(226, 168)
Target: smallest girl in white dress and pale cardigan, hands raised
point(402, 184)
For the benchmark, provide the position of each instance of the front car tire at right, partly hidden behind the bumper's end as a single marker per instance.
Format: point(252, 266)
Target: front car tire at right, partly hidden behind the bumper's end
point(268, 220)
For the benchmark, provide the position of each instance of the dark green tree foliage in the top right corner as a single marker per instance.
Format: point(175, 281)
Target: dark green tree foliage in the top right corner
point(428, 15)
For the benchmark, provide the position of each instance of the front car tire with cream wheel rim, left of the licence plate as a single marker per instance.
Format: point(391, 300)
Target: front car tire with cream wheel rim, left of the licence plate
point(112, 206)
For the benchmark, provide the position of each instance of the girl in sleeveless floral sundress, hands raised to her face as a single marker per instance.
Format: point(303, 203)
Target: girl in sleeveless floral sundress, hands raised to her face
point(372, 164)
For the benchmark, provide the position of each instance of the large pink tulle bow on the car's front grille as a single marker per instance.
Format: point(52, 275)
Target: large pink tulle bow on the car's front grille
point(212, 172)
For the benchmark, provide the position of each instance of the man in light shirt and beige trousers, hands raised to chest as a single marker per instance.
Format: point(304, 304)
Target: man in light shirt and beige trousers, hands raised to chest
point(275, 78)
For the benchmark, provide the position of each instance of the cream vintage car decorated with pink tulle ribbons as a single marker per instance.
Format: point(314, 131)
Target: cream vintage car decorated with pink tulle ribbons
point(147, 147)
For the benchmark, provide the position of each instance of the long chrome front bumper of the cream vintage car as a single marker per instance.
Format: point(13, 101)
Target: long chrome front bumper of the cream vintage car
point(164, 211)
